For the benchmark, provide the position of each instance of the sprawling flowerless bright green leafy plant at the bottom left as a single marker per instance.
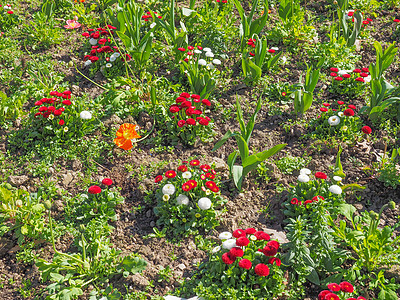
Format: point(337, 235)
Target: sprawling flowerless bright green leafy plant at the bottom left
point(95, 264)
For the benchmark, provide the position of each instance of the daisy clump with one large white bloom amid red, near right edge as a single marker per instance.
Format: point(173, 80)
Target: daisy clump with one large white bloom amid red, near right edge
point(339, 120)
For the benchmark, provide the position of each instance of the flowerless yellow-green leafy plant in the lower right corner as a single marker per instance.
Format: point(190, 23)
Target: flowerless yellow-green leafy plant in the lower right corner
point(374, 249)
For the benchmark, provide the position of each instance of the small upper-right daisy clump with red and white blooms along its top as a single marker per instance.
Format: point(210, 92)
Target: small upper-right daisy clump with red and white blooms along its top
point(349, 82)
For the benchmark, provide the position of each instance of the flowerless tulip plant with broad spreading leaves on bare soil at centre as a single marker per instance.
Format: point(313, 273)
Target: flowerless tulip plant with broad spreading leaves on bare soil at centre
point(249, 162)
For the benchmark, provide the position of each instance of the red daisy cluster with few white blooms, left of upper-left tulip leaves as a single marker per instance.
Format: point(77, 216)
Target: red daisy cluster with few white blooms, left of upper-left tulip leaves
point(102, 51)
